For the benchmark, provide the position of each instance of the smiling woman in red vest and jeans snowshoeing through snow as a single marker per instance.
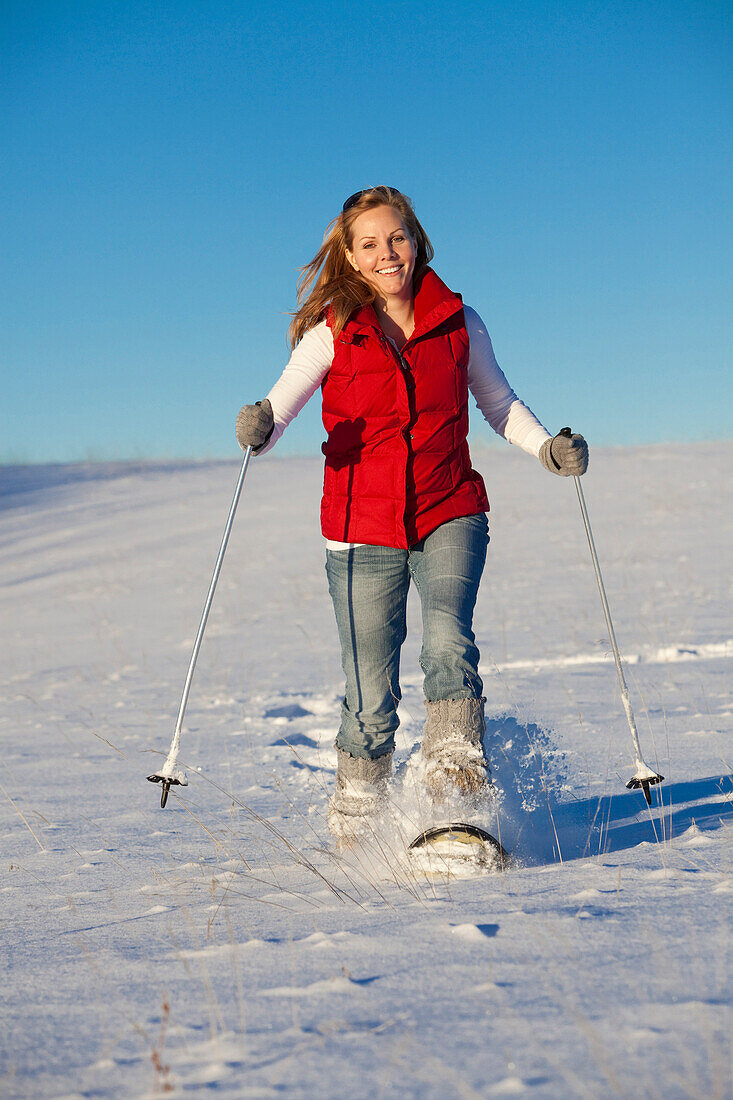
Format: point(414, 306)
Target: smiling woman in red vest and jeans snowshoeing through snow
point(396, 354)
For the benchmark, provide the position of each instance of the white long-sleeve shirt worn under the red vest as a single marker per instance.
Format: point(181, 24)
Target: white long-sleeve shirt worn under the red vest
point(500, 406)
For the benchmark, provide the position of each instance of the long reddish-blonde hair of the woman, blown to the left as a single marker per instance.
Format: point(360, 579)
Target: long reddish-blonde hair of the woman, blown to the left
point(330, 280)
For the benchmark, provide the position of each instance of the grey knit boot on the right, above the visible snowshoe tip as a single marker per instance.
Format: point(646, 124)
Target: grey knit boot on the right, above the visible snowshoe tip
point(453, 749)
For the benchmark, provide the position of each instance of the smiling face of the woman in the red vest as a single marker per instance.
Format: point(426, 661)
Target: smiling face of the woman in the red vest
point(384, 252)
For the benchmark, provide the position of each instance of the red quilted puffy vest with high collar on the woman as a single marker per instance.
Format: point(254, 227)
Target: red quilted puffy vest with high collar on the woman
point(398, 464)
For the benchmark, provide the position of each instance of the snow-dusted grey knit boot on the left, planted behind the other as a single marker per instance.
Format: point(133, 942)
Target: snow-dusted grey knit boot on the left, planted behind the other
point(360, 795)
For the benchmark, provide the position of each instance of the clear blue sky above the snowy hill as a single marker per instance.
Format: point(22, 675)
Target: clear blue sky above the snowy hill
point(168, 169)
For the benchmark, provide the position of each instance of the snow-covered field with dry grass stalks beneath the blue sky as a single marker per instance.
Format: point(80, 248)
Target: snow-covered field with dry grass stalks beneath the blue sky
point(221, 945)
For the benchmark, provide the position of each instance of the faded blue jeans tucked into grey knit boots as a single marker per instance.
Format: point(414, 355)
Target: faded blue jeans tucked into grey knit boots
point(369, 589)
